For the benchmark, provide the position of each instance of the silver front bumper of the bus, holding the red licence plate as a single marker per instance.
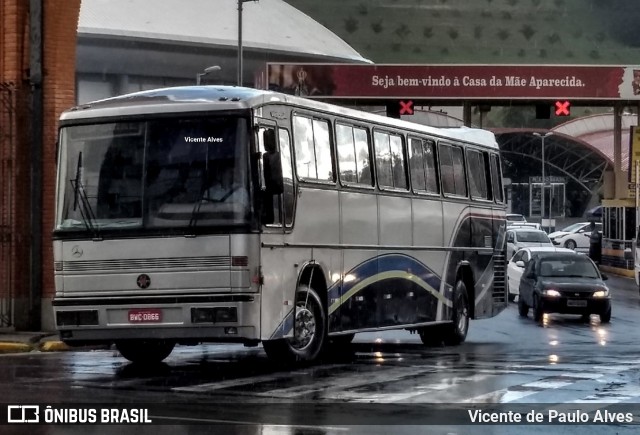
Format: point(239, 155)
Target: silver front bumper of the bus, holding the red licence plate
point(217, 318)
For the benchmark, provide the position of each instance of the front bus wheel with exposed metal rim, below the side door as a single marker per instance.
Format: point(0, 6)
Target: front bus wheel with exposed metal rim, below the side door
point(310, 331)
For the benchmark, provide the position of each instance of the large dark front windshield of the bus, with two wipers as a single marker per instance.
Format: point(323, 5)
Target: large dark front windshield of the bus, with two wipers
point(165, 173)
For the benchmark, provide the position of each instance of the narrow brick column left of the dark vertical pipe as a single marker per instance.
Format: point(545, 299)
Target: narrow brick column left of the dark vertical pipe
point(14, 162)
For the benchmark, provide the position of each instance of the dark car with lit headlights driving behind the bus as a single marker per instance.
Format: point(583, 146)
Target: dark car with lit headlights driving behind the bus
point(567, 283)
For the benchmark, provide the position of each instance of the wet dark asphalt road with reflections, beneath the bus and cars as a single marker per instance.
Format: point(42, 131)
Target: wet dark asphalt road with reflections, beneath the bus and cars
point(384, 383)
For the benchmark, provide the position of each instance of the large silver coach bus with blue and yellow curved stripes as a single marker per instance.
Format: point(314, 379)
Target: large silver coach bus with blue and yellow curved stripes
point(334, 222)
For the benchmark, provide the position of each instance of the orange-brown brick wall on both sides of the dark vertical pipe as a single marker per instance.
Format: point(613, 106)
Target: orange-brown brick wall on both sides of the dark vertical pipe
point(60, 20)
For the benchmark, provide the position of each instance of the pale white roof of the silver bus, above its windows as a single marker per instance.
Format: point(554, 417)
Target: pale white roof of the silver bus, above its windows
point(205, 98)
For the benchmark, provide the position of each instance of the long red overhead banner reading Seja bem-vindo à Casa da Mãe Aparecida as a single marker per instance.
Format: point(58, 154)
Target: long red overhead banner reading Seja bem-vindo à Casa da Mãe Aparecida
point(485, 82)
